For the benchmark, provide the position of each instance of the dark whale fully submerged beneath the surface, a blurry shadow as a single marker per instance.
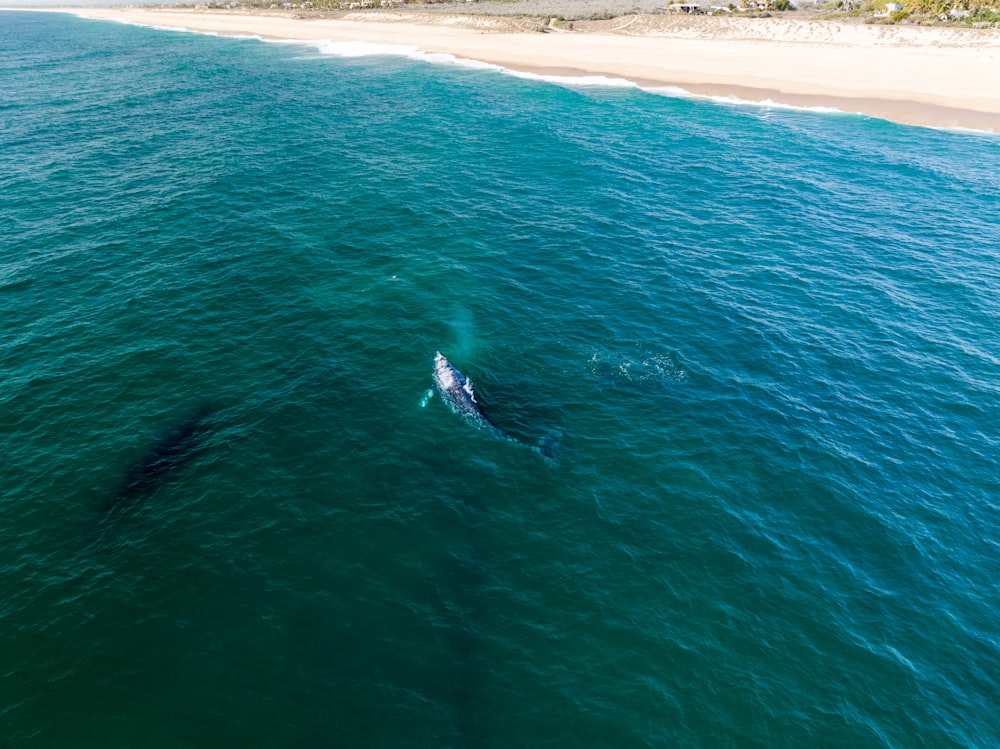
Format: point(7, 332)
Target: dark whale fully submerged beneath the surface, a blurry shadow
point(175, 447)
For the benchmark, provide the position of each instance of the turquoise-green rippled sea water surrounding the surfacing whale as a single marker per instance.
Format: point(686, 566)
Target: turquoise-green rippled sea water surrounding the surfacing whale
point(770, 341)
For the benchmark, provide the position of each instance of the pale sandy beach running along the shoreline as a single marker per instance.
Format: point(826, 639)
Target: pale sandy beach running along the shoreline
point(932, 76)
